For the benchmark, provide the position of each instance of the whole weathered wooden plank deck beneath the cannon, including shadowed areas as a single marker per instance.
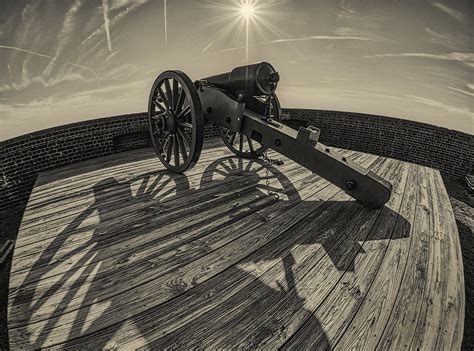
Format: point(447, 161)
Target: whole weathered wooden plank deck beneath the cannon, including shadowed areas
point(119, 253)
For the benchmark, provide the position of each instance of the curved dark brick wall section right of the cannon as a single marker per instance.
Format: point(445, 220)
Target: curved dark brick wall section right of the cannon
point(450, 151)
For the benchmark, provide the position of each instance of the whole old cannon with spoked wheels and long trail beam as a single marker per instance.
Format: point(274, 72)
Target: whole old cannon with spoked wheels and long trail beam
point(244, 106)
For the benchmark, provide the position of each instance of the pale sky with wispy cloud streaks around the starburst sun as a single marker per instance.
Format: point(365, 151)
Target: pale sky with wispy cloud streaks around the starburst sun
point(63, 61)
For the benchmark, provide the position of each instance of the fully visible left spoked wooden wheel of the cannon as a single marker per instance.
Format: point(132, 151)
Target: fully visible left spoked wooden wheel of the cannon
point(175, 121)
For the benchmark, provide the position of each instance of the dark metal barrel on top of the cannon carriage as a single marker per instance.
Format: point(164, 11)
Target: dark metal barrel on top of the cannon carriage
point(251, 80)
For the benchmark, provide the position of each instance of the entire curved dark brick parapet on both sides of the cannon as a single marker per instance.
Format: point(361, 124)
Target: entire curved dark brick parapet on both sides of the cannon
point(24, 157)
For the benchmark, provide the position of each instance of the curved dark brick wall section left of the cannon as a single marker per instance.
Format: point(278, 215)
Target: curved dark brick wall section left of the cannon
point(22, 158)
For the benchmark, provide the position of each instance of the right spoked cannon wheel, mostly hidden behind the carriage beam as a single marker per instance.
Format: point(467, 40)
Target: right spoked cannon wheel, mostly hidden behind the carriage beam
point(242, 145)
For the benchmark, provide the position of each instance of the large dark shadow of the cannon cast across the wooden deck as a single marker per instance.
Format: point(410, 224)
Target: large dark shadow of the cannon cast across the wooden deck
point(154, 225)
